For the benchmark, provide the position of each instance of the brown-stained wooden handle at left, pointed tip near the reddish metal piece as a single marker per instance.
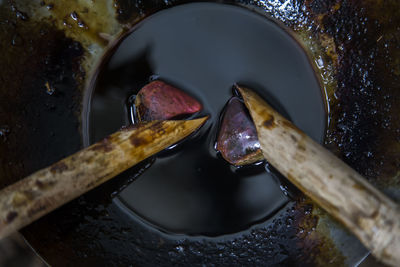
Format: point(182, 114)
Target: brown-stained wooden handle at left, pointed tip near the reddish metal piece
point(48, 189)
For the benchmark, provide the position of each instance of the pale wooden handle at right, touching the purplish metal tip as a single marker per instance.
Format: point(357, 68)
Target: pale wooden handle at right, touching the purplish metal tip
point(341, 191)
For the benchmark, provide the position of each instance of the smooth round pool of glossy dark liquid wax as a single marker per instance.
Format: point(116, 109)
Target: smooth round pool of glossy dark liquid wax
point(204, 49)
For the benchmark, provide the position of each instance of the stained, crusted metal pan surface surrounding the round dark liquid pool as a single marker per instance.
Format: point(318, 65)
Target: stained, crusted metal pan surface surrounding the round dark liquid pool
point(49, 51)
